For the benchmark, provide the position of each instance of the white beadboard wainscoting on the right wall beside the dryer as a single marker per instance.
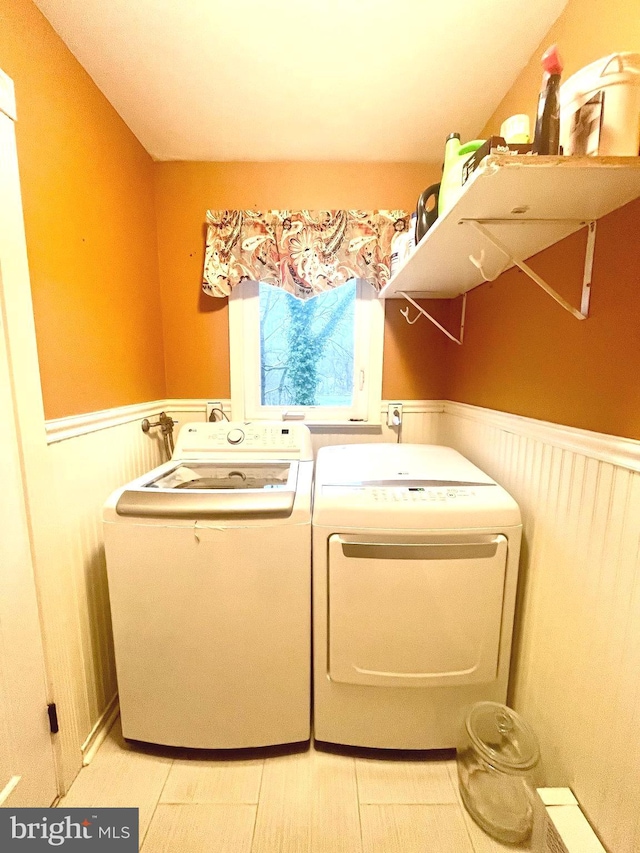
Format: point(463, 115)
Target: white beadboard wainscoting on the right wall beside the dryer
point(576, 669)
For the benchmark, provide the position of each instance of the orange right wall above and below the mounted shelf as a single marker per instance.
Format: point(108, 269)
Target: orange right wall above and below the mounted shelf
point(524, 354)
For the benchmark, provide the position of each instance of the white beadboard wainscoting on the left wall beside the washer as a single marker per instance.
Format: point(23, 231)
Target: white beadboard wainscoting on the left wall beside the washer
point(87, 468)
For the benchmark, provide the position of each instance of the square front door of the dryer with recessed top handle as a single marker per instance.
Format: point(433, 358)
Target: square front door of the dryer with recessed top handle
point(423, 612)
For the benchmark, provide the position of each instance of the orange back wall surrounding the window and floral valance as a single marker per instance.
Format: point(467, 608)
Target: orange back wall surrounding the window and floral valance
point(196, 325)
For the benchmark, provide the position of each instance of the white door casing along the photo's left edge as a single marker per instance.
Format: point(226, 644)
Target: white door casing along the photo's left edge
point(62, 644)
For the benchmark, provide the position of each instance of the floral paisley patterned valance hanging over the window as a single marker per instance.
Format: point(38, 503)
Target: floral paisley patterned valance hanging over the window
point(303, 251)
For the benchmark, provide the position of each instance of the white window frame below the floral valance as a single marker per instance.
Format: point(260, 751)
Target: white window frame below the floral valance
point(244, 362)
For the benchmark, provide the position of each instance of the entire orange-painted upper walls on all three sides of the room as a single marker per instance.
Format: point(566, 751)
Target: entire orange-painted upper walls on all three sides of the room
point(89, 215)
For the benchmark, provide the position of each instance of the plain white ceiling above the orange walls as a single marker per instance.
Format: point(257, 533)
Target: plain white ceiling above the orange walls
point(302, 79)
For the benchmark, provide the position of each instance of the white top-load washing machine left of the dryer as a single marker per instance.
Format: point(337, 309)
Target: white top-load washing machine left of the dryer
point(209, 568)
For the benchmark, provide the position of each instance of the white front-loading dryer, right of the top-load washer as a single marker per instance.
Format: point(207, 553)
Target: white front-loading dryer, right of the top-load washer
point(415, 564)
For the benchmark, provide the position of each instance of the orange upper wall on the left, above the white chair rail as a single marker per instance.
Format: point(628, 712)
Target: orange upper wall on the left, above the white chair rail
point(87, 188)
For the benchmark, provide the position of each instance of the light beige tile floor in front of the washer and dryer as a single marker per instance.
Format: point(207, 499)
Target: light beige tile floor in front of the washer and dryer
point(310, 802)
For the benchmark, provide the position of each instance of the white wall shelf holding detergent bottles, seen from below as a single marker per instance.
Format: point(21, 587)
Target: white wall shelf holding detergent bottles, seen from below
point(528, 203)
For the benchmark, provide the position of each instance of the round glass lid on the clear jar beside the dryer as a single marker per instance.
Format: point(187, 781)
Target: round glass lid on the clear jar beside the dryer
point(502, 737)
